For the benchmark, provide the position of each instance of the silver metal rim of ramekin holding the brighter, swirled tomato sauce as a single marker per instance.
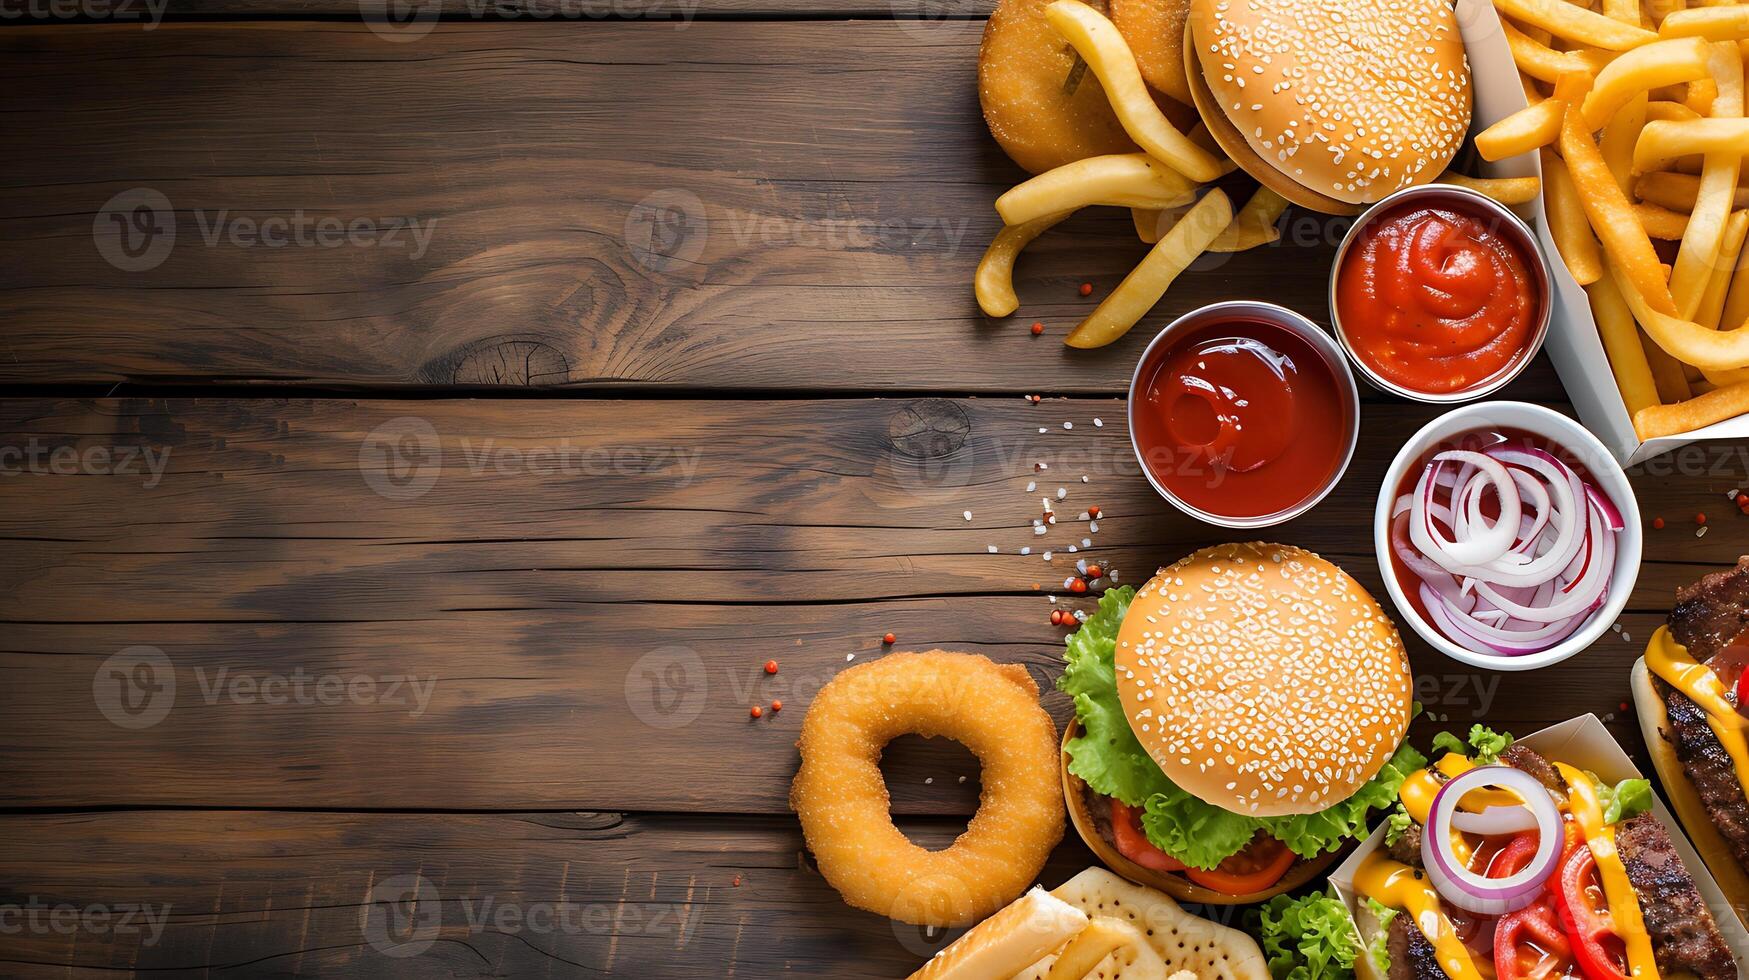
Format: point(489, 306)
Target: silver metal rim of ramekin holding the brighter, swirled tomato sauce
point(1510, 227)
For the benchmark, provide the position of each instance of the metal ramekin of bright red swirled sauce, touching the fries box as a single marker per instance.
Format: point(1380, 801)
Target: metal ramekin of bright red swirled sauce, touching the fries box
point(1440, 295)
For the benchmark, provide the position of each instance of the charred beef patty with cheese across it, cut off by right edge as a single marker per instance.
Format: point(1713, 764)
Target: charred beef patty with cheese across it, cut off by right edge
point(1708, 617)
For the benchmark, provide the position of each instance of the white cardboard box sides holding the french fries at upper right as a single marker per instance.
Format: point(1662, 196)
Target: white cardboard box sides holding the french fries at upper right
point(1573, 342)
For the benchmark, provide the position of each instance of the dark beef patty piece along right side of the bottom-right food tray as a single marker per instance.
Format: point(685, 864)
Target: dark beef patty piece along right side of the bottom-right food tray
point(1683, 932)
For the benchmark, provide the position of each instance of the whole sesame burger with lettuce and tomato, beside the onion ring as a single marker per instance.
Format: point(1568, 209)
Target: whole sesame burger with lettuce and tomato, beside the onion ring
point(1239, 718)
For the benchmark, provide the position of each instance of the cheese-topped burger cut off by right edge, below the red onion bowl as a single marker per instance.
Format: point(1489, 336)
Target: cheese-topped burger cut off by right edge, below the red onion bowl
point(1690, 692)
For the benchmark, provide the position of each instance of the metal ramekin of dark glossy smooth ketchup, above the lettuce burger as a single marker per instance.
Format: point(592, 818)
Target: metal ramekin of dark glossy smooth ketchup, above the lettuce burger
point(1244, 414)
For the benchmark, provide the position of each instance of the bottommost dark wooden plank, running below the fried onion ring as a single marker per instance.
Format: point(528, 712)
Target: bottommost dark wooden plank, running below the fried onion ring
point(501, 895)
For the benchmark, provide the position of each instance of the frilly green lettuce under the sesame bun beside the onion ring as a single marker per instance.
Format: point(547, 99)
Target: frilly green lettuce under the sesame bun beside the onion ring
point(1111, 762)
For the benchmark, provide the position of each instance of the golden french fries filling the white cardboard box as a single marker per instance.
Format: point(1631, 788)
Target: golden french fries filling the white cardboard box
point(1638, 115)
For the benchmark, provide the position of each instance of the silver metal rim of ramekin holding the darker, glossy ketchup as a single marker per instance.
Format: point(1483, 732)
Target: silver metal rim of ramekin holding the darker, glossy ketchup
point(1292, 323)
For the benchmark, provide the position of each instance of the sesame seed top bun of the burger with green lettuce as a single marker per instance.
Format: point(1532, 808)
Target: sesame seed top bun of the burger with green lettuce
point(1264, 680)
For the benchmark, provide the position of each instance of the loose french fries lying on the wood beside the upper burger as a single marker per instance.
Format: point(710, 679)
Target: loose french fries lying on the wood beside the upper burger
point(1160, 186)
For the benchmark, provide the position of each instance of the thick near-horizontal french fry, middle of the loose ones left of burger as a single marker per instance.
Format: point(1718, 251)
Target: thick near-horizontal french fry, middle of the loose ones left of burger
point(1125, 181)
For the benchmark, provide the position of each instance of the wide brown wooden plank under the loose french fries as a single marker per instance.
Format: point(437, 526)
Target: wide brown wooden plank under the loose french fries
point(709, 206)
